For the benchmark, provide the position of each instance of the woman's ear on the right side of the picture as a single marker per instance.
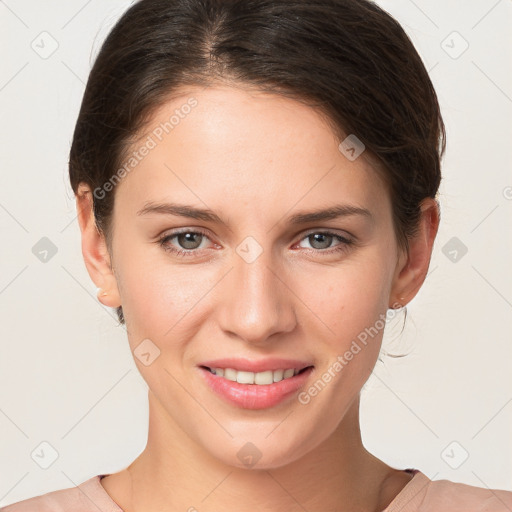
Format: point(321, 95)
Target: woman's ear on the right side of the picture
point(412, 268)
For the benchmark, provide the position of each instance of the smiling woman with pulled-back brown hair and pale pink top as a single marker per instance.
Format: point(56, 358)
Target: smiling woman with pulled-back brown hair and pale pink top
point(256, 185)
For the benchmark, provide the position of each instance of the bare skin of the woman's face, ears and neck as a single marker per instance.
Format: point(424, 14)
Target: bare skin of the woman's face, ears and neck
point(254, 159)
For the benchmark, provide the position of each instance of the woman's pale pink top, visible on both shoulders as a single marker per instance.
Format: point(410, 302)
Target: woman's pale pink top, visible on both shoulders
point(419, 495)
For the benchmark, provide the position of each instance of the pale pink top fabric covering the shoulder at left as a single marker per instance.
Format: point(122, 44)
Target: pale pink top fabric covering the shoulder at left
point(86, 497)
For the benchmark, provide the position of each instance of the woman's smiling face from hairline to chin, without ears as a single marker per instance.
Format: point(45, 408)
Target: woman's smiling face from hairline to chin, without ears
point(249, 278)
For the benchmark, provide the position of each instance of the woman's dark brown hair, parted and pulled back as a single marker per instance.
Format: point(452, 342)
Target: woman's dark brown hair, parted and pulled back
point(347, 58)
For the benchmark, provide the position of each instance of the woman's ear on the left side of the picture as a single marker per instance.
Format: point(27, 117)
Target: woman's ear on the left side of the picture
point(94, 250)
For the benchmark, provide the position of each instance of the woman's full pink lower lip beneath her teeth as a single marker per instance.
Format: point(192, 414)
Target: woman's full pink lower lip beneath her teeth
point(255, 396)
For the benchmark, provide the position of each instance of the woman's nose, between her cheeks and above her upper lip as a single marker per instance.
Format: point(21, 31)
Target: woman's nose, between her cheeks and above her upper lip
point(257, 301)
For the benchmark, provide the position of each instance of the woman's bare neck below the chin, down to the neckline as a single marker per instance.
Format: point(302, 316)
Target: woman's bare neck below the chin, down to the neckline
point(175, 473)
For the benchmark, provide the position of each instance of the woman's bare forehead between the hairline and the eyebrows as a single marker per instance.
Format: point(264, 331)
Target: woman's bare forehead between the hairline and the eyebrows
point(260, 147)
